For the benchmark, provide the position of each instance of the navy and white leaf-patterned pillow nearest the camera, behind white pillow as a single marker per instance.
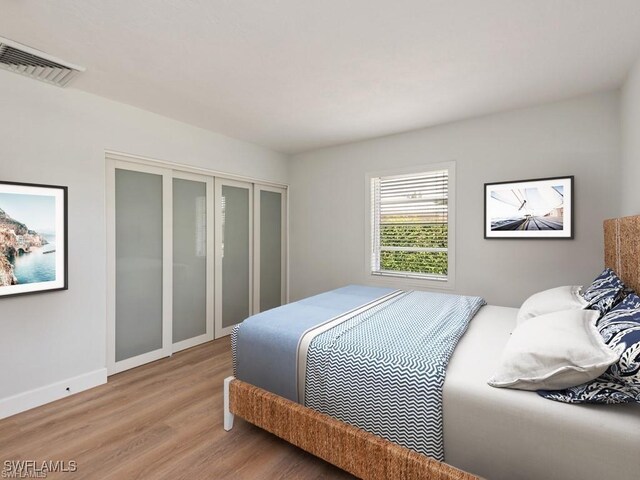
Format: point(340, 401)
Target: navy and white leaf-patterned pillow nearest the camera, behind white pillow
point(620, 329)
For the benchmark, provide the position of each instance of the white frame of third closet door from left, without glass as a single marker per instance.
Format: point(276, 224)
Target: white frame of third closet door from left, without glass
point(219, 330)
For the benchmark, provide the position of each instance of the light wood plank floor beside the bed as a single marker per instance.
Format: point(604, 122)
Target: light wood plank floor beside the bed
point(161, 420)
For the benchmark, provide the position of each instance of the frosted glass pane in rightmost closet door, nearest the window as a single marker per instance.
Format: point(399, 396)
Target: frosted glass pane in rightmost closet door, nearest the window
point(270, 249)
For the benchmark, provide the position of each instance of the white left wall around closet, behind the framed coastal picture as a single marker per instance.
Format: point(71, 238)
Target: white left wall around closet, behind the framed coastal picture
point(58, 136)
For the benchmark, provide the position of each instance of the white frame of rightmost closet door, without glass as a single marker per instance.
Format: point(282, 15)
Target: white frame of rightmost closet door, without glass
point(284, 283)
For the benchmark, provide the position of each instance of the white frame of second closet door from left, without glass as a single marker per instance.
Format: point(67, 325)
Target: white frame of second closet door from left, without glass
point(210, 282)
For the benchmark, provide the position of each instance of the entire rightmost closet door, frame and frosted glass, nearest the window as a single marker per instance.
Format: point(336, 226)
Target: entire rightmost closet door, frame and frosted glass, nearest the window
point(270, 228)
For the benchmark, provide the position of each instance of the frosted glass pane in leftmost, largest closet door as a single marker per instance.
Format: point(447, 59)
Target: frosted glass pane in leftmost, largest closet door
point(138, 221)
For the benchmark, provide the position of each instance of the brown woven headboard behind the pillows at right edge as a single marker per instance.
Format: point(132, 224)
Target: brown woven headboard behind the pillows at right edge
point(622, 249)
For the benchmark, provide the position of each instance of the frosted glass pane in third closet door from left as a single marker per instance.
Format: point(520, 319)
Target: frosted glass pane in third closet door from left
point(236, 254)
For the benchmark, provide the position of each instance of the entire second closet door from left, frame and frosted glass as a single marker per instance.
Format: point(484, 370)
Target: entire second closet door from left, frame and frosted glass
point(192, 260)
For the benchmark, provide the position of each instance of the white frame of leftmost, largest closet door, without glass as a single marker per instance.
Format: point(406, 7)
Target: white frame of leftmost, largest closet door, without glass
point(114, 366)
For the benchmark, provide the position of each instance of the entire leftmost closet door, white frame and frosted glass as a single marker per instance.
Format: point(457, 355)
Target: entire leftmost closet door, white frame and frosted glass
point(141, 310)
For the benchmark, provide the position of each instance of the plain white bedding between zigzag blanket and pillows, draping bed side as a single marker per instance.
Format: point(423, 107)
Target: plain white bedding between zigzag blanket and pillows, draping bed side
point(505, 434)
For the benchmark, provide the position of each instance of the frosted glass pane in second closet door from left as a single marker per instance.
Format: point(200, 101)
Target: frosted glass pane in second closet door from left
point(189, 259)
